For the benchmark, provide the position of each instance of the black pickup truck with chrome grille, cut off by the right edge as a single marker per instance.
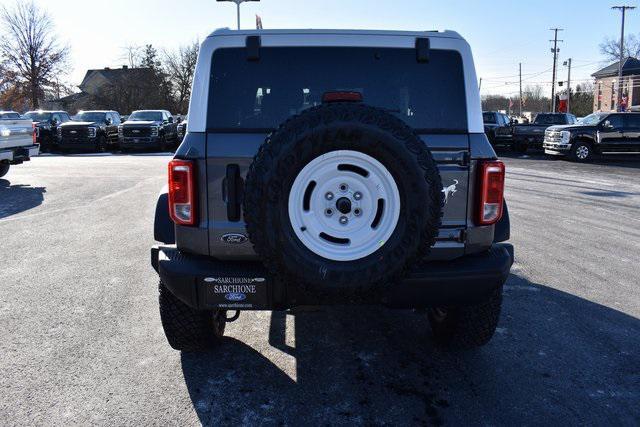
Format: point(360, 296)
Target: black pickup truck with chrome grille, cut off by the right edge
point(598, 133)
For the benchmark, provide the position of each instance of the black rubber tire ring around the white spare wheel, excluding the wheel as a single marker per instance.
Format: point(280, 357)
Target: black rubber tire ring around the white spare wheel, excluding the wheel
point(320, 130)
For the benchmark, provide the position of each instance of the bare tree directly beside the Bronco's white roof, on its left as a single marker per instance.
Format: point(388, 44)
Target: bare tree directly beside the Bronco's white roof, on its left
point(180, 66)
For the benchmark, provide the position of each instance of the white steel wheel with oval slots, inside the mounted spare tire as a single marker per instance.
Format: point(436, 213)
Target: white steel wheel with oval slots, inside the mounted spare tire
point(344, 205)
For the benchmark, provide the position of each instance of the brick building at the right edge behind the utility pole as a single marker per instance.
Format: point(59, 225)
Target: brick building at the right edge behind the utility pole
point(605, 95)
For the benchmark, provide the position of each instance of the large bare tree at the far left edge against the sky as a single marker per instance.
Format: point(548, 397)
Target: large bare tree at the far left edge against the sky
point(30, 49)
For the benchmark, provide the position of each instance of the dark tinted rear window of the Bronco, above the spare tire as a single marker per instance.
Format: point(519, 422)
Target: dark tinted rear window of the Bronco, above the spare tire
point(260, 95)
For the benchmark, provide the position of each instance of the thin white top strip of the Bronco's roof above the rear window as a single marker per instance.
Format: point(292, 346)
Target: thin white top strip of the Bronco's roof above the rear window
point(431, 33)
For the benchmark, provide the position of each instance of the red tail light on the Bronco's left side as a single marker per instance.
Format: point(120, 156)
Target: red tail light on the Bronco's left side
point(182, 192)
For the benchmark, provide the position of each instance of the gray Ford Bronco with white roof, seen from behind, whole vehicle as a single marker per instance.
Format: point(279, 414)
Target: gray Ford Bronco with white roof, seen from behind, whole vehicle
point(325, 167)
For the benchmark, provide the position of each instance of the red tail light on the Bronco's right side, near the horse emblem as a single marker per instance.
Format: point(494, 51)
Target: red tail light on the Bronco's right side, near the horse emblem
point(491, 181)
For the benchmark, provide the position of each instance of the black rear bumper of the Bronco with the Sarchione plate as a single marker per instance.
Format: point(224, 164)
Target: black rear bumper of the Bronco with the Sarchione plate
point(205, 283)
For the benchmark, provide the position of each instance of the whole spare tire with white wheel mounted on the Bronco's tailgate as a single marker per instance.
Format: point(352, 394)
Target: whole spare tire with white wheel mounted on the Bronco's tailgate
point(342, 197)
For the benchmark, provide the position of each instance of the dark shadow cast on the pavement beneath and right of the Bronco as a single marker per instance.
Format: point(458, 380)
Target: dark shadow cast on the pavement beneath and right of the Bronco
point(555, 358)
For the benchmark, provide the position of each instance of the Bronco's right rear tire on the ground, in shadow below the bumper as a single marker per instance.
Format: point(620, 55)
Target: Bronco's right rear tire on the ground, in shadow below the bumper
point(466, 327)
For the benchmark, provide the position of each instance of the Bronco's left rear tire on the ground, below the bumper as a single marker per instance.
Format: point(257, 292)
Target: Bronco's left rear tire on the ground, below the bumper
point(187, 329)
